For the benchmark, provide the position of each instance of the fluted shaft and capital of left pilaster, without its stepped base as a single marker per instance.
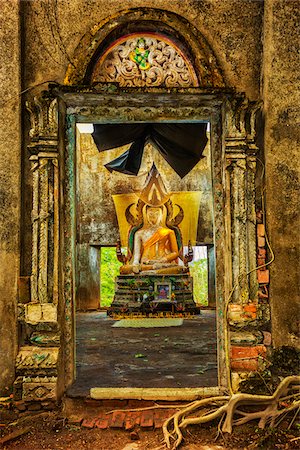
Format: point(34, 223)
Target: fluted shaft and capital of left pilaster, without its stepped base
point(45, 220)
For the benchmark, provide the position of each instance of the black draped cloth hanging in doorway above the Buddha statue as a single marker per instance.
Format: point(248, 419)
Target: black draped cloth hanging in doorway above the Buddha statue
point(181, 144)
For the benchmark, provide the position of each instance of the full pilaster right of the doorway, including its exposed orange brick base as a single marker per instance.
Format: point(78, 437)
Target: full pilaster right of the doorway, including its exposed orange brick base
point(248, 348)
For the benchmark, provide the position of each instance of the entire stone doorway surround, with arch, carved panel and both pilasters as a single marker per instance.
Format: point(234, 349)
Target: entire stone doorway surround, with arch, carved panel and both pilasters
point(45, 364)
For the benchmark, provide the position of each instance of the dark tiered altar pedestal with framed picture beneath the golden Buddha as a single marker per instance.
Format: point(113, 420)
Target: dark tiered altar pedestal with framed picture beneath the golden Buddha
point(153, 294)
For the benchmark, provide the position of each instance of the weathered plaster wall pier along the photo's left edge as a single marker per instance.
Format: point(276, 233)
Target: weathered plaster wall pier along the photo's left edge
point(9, 187)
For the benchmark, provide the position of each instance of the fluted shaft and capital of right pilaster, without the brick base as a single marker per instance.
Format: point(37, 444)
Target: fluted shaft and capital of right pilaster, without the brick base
point(240, 150)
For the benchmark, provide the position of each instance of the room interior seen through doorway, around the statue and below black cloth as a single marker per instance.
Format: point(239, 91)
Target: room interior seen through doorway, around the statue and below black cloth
point(112, 356)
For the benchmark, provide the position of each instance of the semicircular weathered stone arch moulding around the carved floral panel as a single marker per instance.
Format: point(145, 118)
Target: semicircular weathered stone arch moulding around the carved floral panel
point(168, 25)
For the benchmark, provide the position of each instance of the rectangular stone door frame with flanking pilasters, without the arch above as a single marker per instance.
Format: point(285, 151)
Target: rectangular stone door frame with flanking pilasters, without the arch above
point(51, 312)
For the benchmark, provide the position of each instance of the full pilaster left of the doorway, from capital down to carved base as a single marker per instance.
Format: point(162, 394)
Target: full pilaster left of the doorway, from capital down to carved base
point(37, 360)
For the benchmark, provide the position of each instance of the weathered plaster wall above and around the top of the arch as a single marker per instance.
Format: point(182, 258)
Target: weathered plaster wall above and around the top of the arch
point(232, 27)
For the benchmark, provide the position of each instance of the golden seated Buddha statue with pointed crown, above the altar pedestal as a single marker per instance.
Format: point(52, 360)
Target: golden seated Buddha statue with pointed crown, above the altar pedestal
point(154, 241)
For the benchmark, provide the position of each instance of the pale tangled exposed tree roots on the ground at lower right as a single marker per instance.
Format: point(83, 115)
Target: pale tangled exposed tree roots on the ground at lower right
point(236, 409)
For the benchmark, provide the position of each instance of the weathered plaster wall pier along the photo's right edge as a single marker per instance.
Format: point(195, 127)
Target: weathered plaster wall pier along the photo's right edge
point(282, 139)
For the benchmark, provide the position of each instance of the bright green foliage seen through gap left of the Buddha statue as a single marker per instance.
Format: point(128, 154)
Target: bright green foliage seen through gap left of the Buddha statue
point(109, 270)
